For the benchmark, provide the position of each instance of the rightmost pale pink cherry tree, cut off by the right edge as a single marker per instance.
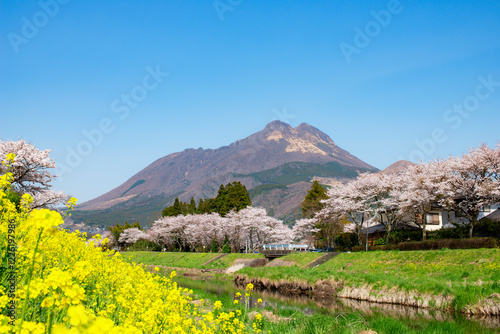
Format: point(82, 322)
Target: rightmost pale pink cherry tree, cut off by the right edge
point(472, 182)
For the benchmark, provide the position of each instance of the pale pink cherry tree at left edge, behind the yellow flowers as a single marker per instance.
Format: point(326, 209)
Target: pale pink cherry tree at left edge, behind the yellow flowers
point(31, 173)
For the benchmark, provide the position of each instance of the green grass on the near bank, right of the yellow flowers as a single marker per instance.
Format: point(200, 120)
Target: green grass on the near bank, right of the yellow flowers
point(290, 320)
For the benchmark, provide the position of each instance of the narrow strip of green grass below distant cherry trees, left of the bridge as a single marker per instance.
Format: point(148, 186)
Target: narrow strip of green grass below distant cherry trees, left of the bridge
point(180, 260)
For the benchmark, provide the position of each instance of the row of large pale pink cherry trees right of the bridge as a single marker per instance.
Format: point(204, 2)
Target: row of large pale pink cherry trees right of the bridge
point(463, 185)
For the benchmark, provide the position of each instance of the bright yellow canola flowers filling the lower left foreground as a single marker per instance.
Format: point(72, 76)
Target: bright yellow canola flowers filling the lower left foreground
point(52, 281)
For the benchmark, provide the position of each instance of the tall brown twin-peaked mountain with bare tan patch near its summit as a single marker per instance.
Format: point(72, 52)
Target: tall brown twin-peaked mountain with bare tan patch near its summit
point(276, 164)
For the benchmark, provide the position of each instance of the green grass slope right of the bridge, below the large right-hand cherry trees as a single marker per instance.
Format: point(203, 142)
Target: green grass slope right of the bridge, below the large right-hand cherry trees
point(467, 275)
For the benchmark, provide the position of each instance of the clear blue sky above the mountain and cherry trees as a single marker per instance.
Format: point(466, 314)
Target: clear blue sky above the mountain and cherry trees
point(386, 80)
